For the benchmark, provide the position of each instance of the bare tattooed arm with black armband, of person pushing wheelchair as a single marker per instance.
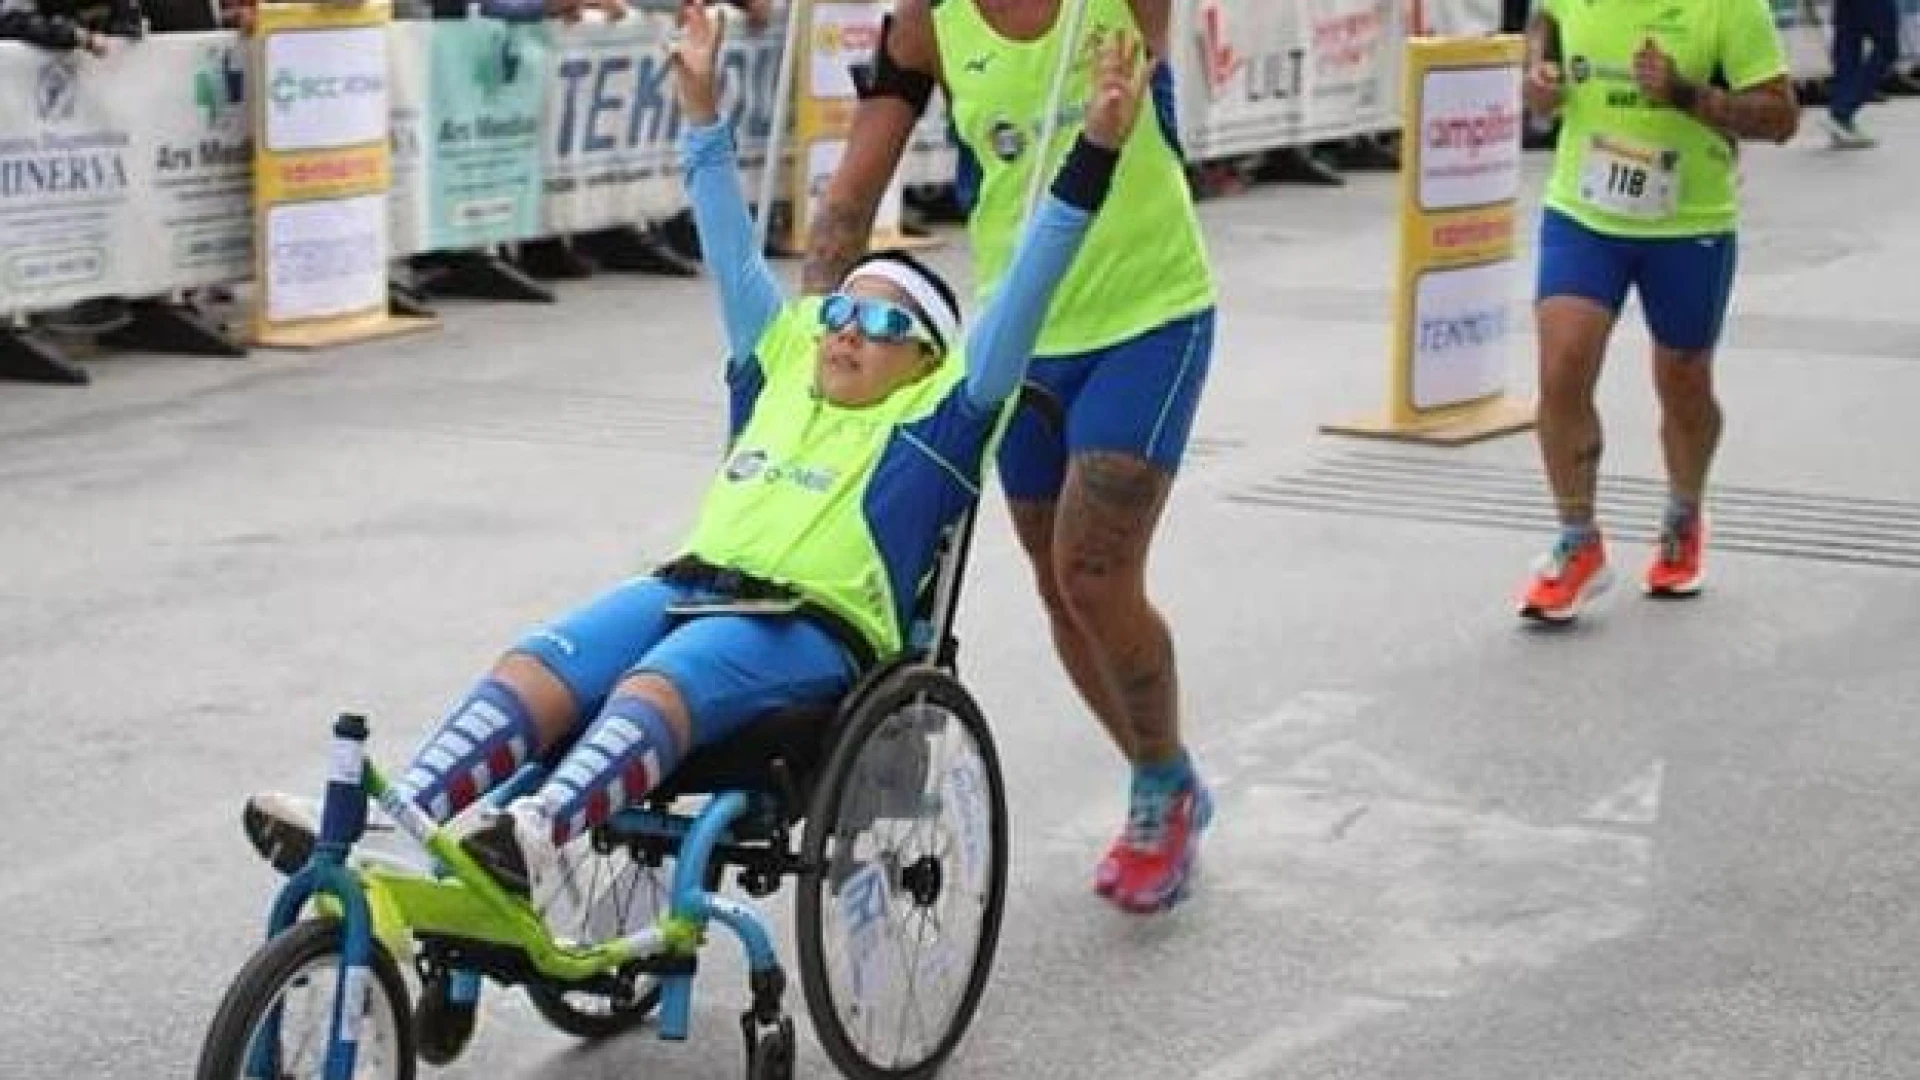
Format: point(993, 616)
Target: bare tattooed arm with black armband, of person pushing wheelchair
point(894, 97)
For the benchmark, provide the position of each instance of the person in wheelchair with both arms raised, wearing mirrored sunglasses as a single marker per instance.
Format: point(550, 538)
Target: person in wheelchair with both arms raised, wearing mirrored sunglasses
point(859, 431)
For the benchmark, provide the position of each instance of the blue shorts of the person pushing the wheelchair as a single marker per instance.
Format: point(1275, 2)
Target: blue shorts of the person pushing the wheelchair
point(1136, 399)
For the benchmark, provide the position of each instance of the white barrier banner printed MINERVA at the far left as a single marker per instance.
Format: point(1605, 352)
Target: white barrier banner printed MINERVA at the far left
point(124, 176)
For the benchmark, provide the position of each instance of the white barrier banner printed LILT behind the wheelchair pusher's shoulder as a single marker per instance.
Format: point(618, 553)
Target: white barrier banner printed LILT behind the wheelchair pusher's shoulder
point(1257, 76)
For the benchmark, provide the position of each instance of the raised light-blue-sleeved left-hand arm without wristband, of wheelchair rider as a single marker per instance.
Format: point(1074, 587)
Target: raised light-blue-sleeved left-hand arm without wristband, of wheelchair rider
point(750, 293)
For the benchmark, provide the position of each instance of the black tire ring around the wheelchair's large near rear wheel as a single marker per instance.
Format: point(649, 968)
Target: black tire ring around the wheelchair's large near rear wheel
point(852, 733)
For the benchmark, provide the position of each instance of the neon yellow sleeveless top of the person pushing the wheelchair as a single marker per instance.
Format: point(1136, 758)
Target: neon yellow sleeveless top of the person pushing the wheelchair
point(1143, 262)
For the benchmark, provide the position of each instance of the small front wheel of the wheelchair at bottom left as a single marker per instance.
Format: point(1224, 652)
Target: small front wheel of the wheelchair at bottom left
point(287, 991)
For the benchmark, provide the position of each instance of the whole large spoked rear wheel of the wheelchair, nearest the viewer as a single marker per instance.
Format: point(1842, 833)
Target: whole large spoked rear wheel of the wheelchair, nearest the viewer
point(905, 885)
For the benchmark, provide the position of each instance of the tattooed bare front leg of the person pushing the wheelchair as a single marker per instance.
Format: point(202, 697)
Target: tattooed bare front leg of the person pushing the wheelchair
point(1103, 531)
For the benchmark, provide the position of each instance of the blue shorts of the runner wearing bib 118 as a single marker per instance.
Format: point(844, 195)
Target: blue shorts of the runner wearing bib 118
point(1685, 282)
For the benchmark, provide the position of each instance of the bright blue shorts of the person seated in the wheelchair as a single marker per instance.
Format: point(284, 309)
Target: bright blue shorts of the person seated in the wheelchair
point(731, 670)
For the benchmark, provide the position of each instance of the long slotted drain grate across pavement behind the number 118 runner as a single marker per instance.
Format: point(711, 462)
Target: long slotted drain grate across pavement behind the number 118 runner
point(1758, 522)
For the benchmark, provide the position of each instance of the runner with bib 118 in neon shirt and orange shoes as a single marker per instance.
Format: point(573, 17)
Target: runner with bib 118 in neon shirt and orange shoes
point(1652, 101)
